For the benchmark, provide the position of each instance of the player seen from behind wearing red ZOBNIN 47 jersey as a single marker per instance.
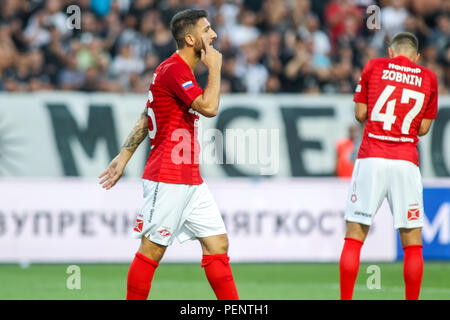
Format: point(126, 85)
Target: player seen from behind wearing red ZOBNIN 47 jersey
point(398, 101)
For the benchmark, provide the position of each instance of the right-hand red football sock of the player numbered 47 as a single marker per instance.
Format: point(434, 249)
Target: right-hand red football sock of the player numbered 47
point(412, 271)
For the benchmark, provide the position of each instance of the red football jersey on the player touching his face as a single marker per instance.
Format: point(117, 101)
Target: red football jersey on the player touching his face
point(172, 124)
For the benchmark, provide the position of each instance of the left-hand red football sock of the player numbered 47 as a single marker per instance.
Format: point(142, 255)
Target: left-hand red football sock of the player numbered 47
point(349, 267)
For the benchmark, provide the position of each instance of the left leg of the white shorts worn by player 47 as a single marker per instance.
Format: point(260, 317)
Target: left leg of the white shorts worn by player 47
point(368, 188)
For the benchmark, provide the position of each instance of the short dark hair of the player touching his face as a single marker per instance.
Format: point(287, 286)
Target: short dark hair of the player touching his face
point(183, 21)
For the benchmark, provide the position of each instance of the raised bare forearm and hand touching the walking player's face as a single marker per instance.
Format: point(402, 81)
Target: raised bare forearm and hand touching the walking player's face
point(207, 103)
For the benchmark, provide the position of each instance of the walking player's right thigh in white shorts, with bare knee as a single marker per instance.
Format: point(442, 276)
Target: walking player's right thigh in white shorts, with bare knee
point(204, 219)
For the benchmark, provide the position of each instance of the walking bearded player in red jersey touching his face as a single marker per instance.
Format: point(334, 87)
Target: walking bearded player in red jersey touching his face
point(177, 203)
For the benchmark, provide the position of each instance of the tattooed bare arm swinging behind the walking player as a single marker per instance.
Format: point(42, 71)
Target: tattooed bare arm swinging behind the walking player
point(117, 166)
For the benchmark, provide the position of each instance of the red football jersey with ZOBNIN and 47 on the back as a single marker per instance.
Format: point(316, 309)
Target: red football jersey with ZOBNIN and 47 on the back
point(398, 94)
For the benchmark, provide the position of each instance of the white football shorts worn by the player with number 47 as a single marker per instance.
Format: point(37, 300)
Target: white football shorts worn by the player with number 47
point(373, 180)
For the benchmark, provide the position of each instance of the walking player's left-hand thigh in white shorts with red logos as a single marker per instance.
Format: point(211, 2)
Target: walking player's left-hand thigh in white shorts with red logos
point(162, 214)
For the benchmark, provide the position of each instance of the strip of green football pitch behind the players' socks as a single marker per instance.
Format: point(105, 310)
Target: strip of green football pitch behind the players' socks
point(274, 281)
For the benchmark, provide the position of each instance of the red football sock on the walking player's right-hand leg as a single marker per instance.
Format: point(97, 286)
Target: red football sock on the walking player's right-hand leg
point(218, 272)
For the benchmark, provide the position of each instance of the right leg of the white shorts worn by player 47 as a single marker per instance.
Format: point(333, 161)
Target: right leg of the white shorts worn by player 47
point(405, 195)
